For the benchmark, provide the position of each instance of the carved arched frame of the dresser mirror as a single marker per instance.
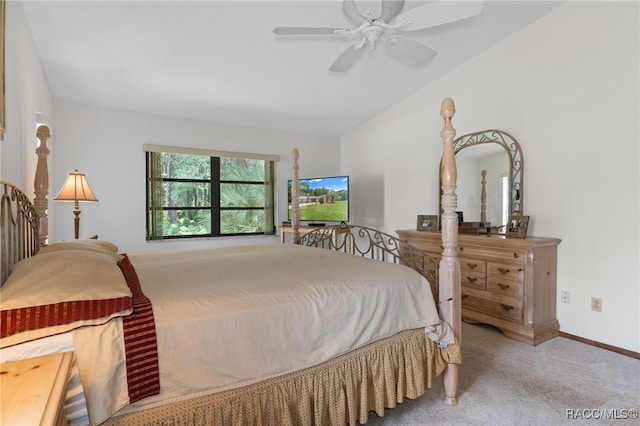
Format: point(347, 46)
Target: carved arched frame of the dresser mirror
point(516, 162)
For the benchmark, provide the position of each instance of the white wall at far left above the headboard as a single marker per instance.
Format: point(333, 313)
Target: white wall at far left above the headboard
point(27, 91)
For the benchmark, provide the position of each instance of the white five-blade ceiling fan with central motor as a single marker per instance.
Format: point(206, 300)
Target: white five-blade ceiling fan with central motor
point(373, 26)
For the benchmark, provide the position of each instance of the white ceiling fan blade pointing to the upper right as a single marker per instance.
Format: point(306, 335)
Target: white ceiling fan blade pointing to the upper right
point(438, 13)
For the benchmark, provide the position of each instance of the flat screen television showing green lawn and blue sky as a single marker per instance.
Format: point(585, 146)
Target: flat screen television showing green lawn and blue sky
point(324, 199)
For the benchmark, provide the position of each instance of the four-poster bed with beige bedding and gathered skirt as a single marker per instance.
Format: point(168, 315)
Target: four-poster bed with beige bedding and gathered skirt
point(317, 332)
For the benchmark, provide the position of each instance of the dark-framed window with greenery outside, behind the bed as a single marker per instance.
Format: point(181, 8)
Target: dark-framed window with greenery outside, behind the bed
point(201, 193)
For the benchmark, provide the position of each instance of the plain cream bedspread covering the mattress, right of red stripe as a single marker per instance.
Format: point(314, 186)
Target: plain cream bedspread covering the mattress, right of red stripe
point(232, 316)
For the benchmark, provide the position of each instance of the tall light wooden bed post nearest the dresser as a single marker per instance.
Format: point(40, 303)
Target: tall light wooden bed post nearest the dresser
point(449, 288)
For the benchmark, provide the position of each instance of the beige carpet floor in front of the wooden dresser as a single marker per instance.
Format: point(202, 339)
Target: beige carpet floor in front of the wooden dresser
point(504, 382)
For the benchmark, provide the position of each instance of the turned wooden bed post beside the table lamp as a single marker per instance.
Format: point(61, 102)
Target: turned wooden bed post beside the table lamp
point(41, 185)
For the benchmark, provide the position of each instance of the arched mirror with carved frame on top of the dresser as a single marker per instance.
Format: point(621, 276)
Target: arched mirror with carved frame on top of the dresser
point(490, 169)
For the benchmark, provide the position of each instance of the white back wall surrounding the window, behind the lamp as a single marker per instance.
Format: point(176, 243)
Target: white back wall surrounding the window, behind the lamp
point(106, 145)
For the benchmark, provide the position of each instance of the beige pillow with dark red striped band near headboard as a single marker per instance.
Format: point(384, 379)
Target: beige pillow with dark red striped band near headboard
point(59, 290)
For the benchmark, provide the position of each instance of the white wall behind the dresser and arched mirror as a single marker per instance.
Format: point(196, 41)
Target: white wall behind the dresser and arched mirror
point(567, 89)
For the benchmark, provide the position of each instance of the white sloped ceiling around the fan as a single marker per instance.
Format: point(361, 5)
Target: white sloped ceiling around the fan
point(220, 61)
